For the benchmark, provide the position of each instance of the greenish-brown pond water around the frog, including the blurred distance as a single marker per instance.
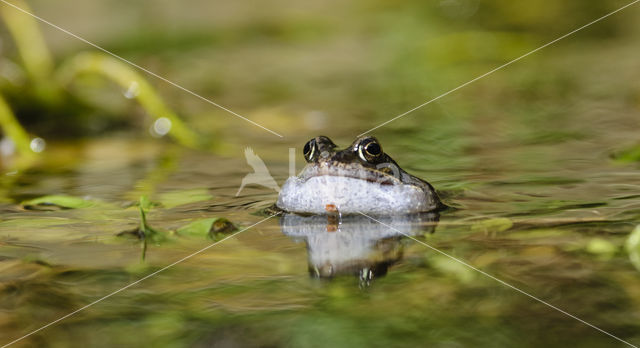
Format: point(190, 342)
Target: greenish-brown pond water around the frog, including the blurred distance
point(523, 156)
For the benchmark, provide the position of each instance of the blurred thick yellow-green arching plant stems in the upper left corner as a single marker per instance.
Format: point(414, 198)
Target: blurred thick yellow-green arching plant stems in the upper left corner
point(48, 86)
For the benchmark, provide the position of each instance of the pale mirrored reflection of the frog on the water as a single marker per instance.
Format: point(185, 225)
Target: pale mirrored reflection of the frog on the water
point(355, 245)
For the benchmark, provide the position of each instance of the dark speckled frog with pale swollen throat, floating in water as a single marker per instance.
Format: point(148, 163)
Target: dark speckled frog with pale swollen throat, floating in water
point(358, 179)
